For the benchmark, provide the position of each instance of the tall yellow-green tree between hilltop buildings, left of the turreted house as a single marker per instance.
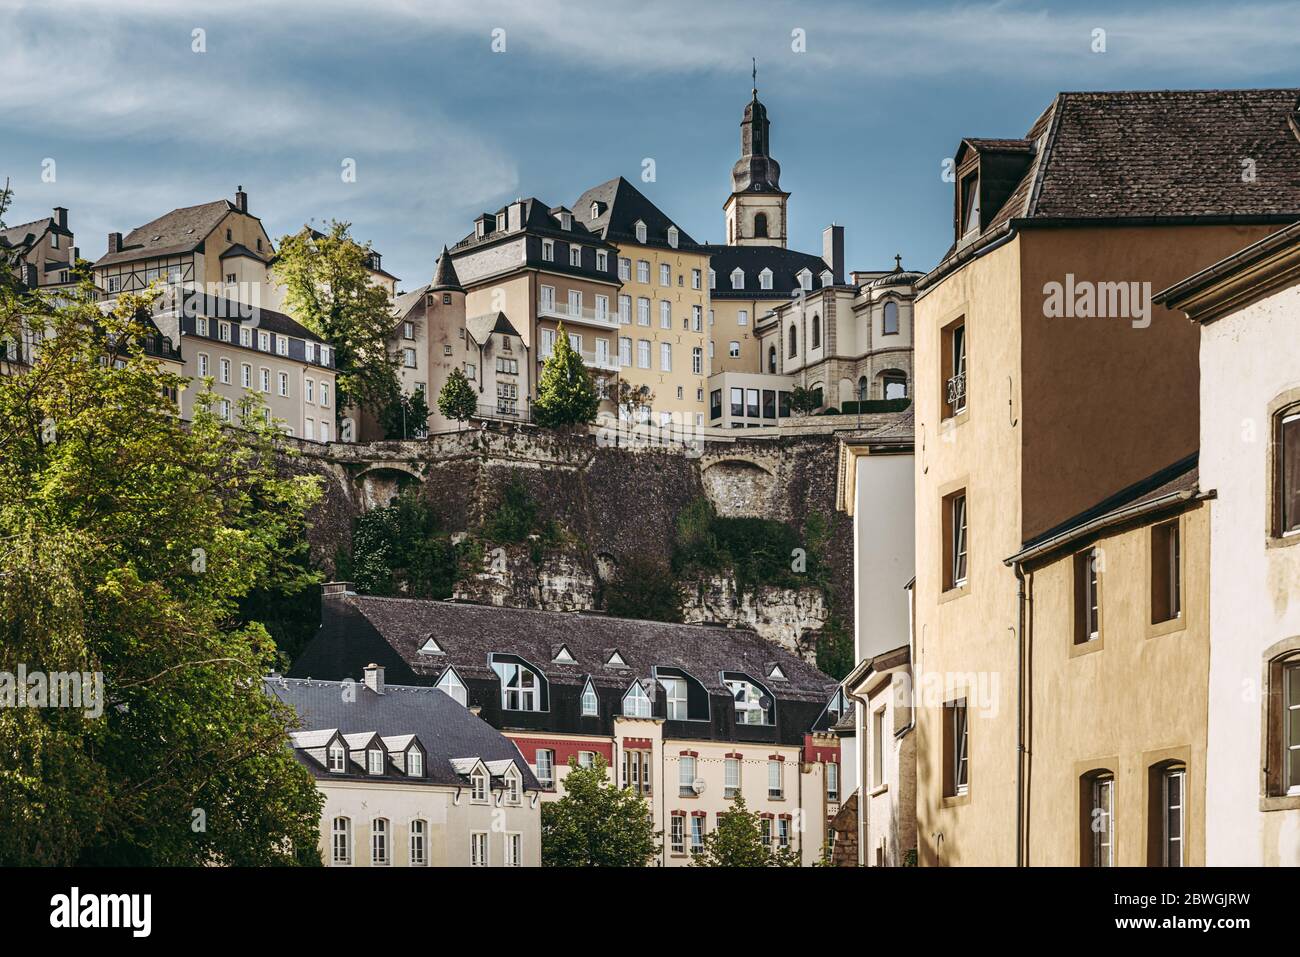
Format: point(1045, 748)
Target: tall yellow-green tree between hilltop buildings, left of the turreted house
point(330, 291)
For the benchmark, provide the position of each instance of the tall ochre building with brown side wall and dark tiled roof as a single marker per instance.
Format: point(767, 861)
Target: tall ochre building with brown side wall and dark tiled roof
point(1047, 383)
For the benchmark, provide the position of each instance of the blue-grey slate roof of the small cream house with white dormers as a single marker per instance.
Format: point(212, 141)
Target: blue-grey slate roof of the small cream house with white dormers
point(448, 731)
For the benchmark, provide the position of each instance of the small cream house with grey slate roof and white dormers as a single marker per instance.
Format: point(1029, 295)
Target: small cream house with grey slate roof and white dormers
point(410, 778)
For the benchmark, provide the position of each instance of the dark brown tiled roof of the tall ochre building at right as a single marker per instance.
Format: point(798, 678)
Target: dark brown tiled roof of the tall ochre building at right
point(1160, 157)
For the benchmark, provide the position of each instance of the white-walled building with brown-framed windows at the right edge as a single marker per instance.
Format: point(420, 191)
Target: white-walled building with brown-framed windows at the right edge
point(1247, 309)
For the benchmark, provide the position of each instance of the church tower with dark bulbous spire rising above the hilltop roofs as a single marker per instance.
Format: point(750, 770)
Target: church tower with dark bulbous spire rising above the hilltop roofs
point(756, 210)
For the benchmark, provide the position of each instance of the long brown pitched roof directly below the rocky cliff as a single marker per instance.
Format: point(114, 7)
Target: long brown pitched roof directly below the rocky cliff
point(471, 634)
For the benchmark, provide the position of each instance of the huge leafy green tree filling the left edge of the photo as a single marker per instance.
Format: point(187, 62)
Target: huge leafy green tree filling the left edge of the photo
point(128, 542)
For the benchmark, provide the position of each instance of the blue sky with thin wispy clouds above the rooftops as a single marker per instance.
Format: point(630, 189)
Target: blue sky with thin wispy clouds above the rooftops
point(116, 111)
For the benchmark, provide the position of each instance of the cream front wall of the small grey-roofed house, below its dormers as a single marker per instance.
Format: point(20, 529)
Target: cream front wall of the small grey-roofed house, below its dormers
point(452, 821)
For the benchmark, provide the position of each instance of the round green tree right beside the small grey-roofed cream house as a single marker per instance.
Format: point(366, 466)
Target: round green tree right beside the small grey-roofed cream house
point(597, 824)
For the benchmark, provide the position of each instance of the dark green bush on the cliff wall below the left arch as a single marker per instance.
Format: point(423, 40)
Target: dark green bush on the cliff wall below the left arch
point(402, 549)
